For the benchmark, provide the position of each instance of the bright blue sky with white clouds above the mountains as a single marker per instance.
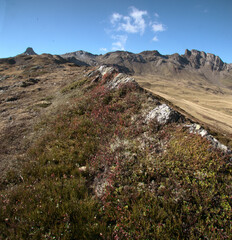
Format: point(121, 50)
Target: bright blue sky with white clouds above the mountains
point(100, 26)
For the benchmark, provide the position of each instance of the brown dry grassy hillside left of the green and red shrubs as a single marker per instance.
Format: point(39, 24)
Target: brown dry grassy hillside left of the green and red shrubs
point(29, 89)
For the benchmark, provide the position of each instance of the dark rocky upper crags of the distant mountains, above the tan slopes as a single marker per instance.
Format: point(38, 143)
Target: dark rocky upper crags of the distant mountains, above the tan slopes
point(191, 58)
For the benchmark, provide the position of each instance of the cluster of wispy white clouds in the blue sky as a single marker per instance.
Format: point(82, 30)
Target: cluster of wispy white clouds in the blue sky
point(135, 22)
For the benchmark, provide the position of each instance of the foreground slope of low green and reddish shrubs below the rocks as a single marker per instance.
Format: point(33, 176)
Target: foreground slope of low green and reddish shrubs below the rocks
point(142, 181)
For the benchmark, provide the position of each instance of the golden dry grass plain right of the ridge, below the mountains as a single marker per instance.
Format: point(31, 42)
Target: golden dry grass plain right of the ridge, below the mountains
point(206, 102)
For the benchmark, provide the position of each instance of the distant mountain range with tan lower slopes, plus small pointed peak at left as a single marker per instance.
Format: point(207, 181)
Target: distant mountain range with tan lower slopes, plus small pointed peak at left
point(192, 64)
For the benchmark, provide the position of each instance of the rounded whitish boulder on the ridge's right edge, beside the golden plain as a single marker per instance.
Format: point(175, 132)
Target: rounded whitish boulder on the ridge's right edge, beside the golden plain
point(163, 114)
